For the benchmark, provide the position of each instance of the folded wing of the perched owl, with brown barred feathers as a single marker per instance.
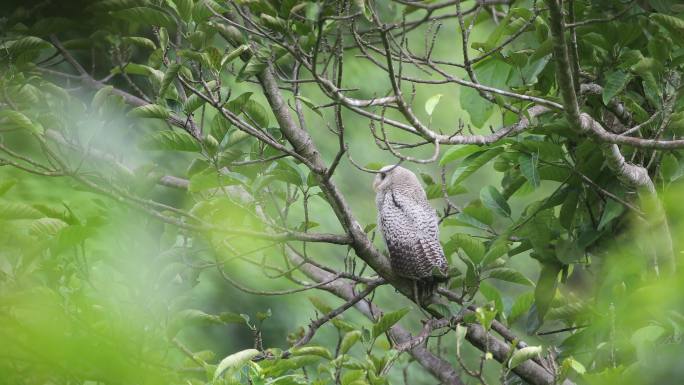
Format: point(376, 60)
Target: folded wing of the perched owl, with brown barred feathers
point(424, 237)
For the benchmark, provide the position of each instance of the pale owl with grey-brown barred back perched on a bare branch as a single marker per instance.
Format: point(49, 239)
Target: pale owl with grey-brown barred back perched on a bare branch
point(409, 226)
